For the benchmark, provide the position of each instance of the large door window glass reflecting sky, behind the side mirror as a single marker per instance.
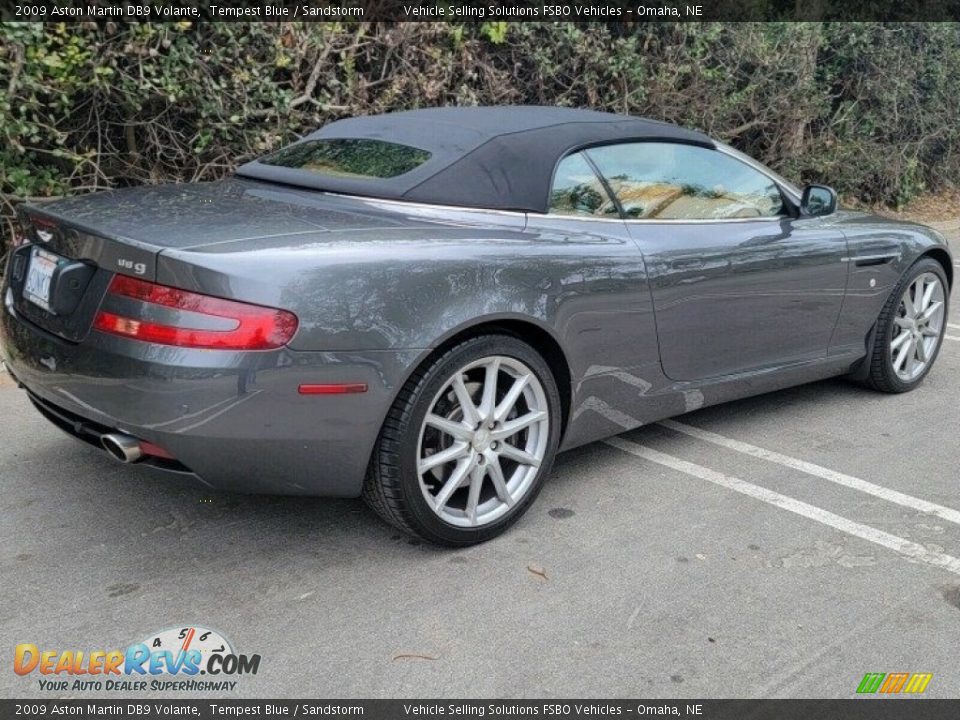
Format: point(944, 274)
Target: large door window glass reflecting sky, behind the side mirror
point(672, 181)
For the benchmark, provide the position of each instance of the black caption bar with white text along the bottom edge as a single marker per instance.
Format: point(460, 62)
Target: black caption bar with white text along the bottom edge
point(874, 708)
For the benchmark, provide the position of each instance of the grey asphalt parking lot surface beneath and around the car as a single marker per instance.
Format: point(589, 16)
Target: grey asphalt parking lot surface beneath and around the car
point(779, 546)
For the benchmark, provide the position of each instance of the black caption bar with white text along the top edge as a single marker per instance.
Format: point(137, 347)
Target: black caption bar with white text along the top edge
point(623, 11)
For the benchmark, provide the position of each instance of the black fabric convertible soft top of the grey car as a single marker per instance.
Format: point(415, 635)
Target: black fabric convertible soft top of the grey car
point(500, 158)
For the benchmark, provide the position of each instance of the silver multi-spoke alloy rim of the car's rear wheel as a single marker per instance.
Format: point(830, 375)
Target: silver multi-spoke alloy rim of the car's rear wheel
point(482, 441)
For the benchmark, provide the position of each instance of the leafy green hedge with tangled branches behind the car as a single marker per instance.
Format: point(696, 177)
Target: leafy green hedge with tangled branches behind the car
point(870, 108)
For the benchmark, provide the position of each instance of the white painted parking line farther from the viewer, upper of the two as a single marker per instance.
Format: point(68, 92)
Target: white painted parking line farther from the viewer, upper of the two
point(819, 471)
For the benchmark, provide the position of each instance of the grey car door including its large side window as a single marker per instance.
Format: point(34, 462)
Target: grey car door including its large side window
point(739, 282)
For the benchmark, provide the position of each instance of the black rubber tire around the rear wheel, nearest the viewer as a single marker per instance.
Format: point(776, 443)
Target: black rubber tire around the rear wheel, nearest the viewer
point(392, 485)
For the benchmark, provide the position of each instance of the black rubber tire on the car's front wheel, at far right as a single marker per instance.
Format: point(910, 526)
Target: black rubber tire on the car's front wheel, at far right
point(881, 375)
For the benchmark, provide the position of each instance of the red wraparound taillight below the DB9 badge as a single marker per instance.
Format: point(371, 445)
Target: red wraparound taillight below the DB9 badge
point(249, 327)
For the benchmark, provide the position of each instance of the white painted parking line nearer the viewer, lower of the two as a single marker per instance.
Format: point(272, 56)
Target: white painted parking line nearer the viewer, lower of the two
point(865, 532)
